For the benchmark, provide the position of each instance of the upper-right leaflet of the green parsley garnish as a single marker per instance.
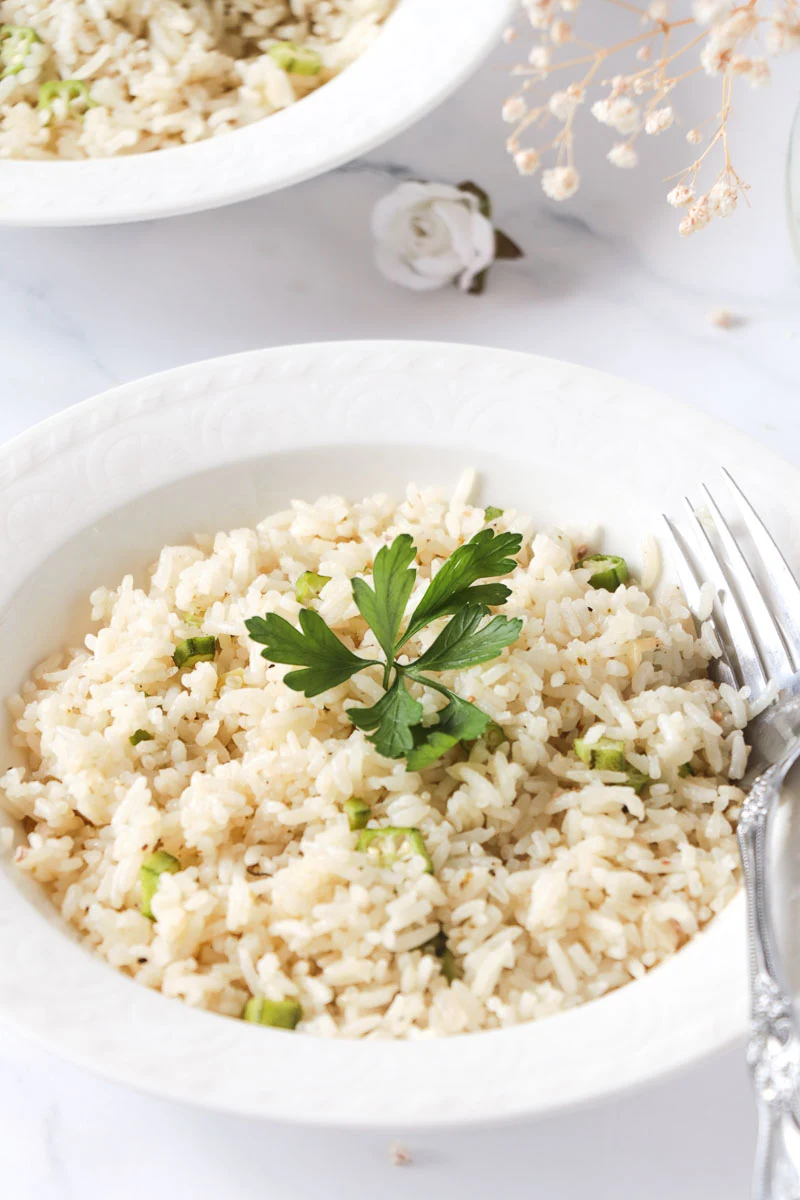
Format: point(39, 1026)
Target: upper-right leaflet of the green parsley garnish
point(484, 556)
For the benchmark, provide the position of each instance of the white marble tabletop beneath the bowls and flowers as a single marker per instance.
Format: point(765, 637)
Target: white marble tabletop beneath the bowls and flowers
point(606, 283)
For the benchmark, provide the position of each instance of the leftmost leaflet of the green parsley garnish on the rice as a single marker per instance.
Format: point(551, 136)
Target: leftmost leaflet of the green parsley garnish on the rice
point(314, 646)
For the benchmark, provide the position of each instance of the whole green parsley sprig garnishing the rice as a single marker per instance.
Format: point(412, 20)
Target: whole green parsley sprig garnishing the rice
point(395, 723)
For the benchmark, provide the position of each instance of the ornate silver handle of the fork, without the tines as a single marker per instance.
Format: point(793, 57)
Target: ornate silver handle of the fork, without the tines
point(773, 1048)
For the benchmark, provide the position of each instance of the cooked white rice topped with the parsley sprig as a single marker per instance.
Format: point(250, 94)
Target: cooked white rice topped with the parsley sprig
point(554, 883)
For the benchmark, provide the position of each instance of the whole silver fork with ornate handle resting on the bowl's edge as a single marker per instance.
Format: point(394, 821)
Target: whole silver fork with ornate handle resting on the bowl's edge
point(757, 621)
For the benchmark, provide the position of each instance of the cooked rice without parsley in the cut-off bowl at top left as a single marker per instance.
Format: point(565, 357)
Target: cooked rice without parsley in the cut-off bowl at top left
point(165, 73)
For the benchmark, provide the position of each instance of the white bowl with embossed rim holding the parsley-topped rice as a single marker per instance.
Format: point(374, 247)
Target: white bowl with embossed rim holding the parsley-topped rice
point(101, 488)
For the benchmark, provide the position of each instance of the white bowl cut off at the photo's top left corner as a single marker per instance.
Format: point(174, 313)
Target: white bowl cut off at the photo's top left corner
point(425, 51)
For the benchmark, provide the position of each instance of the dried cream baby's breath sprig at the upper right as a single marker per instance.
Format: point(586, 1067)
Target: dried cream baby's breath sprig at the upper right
point(729, 43)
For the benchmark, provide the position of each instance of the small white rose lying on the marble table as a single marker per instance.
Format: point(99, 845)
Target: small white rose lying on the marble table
point(430, 236)
